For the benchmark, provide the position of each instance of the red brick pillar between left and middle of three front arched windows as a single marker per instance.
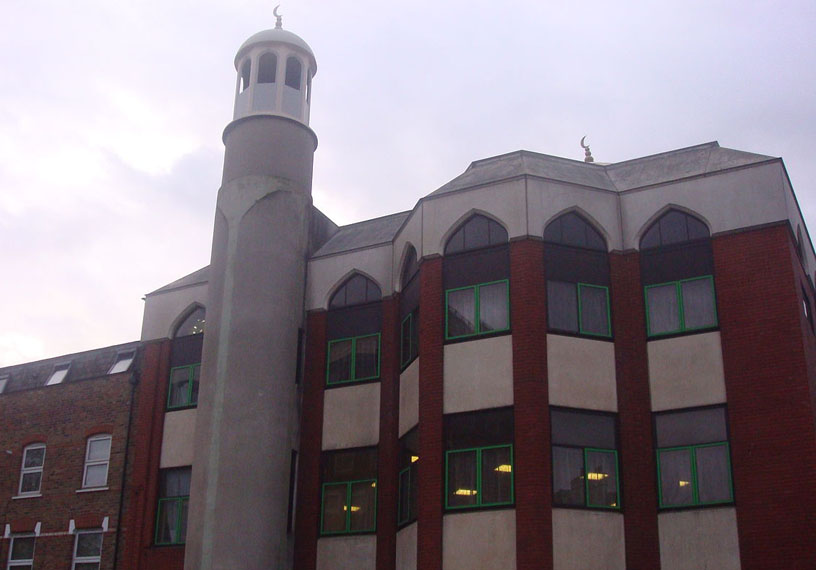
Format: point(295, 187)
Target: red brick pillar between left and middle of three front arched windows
point(533, 476)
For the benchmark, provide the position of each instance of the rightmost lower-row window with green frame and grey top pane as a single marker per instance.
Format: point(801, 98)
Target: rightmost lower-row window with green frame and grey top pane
point(693, 458)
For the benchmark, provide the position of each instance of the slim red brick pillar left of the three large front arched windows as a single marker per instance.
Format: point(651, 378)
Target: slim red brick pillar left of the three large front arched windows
point(431, 333)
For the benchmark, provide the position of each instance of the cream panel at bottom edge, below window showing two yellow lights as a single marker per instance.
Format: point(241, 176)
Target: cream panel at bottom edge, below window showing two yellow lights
point(484, 539)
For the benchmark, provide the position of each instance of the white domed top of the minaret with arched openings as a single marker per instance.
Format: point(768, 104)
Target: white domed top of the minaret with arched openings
point(275, 69)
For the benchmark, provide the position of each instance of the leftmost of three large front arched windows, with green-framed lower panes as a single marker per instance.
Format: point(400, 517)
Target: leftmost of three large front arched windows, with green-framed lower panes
point(476, 275)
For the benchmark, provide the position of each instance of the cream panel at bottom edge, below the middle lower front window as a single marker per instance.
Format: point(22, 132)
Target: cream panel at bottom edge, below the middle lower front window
point(588, 539)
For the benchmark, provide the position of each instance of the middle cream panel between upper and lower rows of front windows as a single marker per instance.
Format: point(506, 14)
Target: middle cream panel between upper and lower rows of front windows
point(581, 373)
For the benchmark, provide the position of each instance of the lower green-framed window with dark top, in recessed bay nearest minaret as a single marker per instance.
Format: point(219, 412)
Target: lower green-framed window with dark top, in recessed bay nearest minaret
point(349, 497)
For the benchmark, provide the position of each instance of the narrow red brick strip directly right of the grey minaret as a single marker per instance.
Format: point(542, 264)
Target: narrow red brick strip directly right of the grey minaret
point(307, 520)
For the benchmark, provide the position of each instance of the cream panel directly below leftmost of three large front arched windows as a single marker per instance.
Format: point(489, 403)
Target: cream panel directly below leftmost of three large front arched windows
point(478, 374)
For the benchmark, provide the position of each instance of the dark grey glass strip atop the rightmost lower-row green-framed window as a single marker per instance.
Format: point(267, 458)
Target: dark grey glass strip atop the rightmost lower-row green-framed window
point(691, 427)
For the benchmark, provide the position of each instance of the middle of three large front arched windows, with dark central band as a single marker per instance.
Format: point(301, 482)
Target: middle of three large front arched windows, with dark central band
point(577, 269)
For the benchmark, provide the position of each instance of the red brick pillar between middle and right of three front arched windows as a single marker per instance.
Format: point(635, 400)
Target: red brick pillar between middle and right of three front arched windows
point(638, 469)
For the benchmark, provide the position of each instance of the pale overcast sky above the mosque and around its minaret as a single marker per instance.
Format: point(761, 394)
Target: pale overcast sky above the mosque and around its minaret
point(111, 114)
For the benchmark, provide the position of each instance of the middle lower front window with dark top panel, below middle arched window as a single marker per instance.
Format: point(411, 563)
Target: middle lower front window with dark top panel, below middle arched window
point(585, 459)
